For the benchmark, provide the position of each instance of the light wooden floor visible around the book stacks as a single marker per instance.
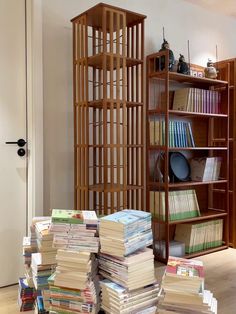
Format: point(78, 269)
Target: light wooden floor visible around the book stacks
point(220, 274)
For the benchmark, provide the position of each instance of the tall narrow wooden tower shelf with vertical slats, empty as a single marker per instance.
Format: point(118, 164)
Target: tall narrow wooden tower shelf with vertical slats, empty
point(108, 52)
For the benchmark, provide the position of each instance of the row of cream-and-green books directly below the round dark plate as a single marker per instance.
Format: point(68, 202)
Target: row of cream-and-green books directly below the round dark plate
point(182, 204)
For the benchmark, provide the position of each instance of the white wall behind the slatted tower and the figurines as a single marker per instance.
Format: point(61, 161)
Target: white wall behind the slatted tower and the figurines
point(182, 21)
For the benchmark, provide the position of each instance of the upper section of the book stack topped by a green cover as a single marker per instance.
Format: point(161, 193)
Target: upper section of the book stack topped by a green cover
point(75, 230)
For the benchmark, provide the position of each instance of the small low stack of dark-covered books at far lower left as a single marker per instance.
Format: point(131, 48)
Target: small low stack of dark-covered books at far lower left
point(26, 296)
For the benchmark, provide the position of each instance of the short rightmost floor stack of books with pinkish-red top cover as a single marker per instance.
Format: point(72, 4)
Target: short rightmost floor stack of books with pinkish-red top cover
point(183, 288)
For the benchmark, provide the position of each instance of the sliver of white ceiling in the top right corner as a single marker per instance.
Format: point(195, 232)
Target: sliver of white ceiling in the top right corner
point(226, 7)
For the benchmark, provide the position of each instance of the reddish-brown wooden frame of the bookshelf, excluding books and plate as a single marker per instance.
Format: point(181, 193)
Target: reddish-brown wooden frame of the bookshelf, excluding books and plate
point(212, 205)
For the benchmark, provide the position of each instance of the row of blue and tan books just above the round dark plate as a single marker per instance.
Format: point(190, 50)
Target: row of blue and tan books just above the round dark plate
point(180, 133)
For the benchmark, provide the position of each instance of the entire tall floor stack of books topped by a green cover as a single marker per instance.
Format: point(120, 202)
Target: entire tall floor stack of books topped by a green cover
point(74, 285)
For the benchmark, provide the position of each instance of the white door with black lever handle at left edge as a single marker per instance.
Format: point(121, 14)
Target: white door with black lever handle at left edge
point(13, 169)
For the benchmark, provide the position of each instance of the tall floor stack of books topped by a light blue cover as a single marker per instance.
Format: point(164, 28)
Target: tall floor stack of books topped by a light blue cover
point(127, 264)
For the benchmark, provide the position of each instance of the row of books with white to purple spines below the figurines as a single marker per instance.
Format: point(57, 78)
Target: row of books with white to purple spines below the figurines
point(197, 100)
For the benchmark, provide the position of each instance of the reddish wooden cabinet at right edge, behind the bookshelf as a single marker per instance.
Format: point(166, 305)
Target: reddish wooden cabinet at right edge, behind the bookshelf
point(232, 143)
